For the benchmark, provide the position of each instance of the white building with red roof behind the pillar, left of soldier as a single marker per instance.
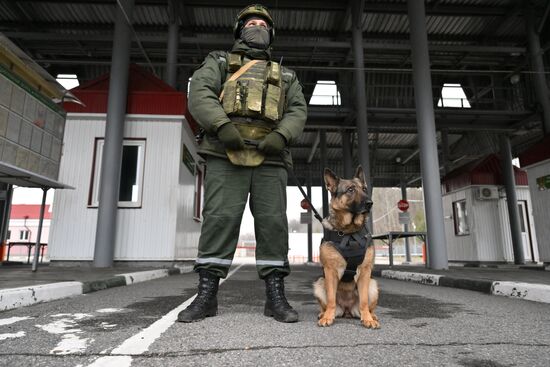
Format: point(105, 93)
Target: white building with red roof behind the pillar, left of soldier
point(161, 181)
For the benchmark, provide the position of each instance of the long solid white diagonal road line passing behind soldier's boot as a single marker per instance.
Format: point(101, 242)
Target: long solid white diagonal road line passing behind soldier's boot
point(140, 343)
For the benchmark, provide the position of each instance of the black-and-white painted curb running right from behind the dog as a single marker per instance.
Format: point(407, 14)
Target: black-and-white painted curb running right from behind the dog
point(518, 290)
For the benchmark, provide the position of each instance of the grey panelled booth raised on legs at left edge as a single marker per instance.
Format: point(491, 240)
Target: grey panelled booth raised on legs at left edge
point(32, 126)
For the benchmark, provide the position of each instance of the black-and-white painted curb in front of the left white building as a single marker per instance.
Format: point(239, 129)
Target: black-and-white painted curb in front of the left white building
point(25, 296)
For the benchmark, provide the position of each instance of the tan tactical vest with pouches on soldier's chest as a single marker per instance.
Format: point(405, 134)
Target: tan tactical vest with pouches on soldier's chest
point(258, 93)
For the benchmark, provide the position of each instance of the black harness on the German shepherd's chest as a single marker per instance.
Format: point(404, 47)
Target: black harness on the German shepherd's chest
point(352, 247)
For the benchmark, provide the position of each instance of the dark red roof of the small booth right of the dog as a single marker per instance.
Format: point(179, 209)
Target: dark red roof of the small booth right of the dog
point(487, 171)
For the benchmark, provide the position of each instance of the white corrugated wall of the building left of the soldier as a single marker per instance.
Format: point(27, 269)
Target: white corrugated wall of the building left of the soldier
point(148, 233)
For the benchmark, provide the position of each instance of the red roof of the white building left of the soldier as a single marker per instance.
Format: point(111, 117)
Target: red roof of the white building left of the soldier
point(147, 94)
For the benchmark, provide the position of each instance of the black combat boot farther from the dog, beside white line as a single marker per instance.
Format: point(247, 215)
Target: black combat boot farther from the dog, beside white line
point(206, 302)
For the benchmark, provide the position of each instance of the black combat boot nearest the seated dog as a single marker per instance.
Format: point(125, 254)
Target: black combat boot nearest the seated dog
point(276, 304)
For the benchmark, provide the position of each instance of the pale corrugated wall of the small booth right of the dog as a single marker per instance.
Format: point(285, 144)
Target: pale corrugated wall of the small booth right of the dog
point(490, 237)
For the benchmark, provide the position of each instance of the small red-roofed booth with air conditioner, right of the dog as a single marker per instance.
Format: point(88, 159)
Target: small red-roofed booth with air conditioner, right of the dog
point(477, 226)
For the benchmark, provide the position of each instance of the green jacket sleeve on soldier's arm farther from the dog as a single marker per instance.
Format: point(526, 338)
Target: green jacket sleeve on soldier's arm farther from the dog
point(204, 91)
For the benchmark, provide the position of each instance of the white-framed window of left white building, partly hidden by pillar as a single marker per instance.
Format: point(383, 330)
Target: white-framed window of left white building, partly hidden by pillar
point(131, 175)
